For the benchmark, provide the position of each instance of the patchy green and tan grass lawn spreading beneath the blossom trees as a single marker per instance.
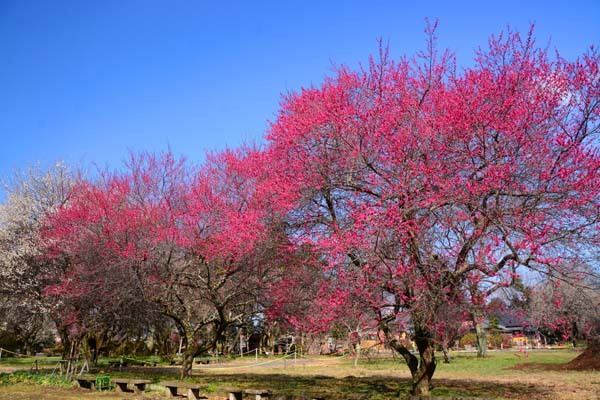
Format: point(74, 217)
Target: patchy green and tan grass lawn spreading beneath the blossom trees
point(336, 378)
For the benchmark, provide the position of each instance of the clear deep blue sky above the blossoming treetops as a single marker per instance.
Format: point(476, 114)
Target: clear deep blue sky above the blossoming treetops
point(87, 81)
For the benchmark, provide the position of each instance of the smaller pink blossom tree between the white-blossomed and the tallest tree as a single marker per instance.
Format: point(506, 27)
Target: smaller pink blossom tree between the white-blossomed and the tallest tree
point(190, 244)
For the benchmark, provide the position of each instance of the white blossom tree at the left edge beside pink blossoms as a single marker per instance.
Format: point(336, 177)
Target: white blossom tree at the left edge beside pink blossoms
point(30, 195)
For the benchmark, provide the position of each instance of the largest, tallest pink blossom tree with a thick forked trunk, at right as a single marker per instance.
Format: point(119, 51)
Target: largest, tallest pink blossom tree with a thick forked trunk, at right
point(416, 181)
